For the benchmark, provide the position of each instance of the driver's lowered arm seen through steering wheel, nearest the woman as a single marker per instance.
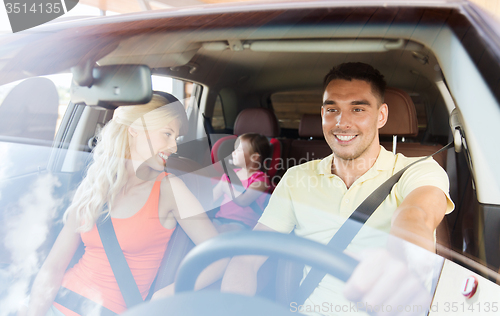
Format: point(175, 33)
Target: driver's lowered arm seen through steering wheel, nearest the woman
point(241, 273)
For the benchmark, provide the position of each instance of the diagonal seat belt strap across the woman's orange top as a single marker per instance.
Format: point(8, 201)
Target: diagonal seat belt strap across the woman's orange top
point(118, 263)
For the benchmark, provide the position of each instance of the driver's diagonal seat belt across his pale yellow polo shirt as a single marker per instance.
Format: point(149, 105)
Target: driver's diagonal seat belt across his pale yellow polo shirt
point(351, 227)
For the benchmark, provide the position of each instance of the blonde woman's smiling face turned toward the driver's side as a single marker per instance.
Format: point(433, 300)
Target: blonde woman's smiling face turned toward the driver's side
point(154, 146)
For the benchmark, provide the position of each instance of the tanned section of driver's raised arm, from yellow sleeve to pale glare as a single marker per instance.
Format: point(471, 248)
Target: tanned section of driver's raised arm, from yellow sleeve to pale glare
point(416, 219)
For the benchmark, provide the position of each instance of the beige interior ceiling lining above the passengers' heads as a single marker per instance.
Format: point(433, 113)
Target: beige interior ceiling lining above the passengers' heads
point(308, 66)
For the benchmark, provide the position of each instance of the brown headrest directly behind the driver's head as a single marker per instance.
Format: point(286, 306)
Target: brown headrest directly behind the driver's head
point(402, 119)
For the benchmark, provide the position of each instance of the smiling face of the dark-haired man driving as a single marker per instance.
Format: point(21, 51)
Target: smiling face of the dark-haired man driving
point(351, 116)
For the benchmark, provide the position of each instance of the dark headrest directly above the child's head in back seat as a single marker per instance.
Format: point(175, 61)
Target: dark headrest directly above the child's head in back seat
point(257, 120)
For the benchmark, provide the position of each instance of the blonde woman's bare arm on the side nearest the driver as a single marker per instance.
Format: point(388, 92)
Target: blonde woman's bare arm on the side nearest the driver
point(198, 227)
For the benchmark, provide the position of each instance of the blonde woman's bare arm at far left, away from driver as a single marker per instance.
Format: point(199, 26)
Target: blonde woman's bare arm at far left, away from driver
point(49, 278)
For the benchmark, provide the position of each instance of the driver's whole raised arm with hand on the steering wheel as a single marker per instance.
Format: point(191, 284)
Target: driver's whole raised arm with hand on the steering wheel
point(383, 275)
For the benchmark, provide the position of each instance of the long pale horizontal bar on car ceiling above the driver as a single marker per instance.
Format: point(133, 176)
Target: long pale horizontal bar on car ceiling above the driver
point(328, 46)
